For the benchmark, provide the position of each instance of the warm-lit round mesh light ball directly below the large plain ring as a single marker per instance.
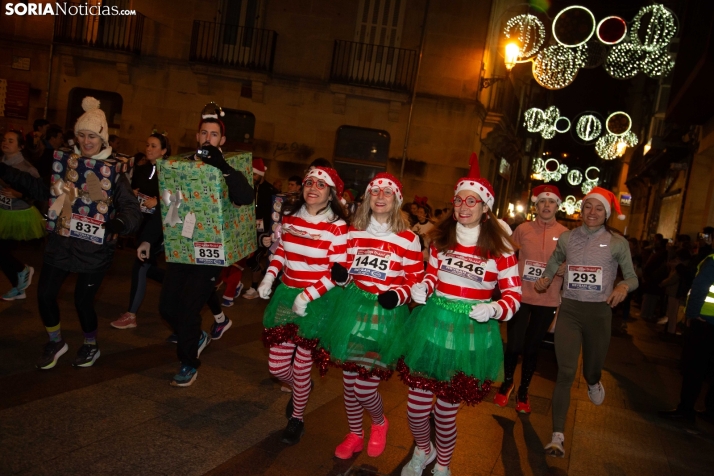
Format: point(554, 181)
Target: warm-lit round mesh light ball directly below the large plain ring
point(556, 66)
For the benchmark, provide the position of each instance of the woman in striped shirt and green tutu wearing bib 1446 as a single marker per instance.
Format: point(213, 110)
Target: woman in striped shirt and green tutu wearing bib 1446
point(452, 347)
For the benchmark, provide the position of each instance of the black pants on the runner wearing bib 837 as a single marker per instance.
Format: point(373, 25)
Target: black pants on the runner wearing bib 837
point(51, 279)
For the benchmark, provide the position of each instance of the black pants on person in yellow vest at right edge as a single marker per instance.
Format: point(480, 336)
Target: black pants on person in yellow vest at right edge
point(697, 362)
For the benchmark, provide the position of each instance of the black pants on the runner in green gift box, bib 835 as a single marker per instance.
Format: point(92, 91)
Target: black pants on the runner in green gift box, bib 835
point(185, 291)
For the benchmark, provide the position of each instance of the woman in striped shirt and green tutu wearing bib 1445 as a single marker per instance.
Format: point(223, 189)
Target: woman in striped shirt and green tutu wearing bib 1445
point(384, 260)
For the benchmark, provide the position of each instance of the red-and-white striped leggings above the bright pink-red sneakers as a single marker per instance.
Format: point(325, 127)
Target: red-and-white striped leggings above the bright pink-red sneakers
point(361, 393)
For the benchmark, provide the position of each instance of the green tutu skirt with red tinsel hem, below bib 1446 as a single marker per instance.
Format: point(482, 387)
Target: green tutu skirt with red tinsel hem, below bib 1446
point(446, 352)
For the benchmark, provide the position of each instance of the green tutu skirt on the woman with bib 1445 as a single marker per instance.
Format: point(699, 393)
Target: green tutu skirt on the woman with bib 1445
point(358, 335)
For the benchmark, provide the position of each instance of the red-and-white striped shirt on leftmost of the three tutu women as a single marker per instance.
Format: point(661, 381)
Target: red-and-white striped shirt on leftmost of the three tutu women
point(307, 248)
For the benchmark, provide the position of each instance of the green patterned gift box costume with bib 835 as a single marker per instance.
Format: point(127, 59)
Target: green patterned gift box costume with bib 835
point(201, 225)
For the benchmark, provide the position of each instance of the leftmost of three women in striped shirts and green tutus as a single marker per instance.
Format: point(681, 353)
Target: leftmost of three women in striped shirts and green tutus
point(313, 239)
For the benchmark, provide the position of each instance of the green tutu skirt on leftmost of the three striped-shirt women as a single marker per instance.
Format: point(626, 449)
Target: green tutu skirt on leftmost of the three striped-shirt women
point(281, 324)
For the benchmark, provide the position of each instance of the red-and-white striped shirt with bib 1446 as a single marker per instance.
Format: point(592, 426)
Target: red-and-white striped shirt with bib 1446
point(461, 274)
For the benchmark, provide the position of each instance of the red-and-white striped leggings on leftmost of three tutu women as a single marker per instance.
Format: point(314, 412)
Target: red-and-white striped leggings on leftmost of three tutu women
point(294, 373)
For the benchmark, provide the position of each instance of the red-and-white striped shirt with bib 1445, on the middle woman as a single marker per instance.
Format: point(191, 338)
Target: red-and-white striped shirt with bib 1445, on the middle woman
point(381, 263)
